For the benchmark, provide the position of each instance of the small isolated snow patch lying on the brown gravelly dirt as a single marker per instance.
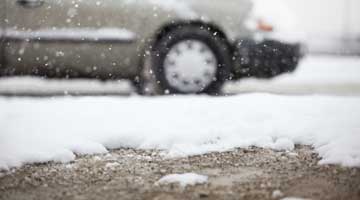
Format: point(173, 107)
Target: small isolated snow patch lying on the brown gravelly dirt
point(183, 179)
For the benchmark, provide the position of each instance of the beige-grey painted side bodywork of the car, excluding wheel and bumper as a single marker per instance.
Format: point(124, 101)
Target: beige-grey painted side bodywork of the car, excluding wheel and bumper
point(34, 44)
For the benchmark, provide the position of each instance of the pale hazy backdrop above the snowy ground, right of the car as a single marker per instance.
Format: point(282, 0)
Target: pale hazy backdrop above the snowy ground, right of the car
point(325, 26)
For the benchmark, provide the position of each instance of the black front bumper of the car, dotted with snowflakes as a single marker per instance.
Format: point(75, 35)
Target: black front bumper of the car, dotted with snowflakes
point(265, 59)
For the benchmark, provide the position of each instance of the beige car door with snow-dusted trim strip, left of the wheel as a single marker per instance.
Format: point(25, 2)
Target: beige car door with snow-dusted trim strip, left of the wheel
point(70, 38)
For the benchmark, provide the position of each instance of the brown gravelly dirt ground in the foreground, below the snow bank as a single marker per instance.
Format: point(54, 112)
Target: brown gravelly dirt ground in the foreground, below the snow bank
point(252, 173)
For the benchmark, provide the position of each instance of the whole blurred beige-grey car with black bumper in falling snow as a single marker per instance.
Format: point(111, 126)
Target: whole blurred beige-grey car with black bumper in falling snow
point(162, 46)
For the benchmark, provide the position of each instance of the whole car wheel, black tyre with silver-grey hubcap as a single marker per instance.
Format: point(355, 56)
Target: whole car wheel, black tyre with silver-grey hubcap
point(190, 60)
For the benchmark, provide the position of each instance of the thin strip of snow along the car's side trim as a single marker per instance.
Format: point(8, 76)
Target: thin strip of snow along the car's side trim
point(107, 34)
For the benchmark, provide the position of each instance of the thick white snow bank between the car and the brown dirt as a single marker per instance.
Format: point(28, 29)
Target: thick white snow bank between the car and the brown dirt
point(57, 129)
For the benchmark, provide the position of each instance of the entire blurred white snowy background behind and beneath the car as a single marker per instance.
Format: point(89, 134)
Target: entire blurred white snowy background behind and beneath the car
point(329, 30)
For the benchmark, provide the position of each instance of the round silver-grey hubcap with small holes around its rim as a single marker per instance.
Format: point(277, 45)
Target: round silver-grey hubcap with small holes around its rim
point(190, 66)
